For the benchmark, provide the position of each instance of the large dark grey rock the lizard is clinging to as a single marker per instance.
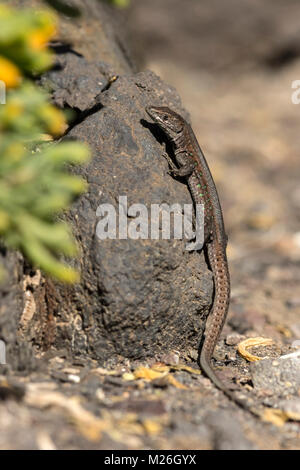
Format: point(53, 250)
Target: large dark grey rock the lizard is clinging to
point(137, 297)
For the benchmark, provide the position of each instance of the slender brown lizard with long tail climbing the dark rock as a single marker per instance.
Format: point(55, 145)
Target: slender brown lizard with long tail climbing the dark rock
point(192, 165)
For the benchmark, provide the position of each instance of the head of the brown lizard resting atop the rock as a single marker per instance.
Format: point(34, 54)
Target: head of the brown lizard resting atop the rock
point(168, 120)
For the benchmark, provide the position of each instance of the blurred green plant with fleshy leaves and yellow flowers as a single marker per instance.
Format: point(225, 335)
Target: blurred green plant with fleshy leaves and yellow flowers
point(34, 184)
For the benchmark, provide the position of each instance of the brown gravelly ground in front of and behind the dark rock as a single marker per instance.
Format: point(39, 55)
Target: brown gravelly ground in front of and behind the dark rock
point(234, 78)
